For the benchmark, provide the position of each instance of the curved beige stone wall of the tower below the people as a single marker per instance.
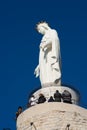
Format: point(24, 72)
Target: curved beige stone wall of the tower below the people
point(53, 116)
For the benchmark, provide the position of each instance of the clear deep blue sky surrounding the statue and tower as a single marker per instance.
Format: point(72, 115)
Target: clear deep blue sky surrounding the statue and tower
point(19, 48)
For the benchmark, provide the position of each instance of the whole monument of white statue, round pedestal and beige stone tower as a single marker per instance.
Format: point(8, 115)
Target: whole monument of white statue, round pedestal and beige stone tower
point(52, 115)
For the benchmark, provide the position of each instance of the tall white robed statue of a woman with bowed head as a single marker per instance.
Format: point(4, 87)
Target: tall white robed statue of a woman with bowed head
point(49, 67)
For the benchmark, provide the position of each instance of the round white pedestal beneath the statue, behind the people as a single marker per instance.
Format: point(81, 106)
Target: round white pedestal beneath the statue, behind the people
point(49, 91)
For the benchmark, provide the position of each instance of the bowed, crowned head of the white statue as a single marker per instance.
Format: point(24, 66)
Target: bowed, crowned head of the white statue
point(42, 27)
